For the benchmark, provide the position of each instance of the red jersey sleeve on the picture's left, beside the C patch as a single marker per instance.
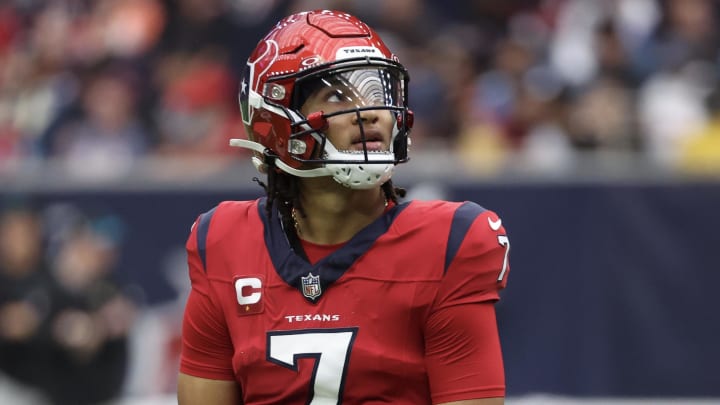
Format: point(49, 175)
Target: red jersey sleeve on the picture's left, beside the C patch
point(206, 345)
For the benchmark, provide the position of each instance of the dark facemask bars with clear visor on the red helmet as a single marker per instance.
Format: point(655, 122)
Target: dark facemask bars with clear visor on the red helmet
point(360, 90)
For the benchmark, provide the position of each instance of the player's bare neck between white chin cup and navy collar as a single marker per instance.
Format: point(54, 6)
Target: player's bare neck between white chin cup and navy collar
point(335, 214)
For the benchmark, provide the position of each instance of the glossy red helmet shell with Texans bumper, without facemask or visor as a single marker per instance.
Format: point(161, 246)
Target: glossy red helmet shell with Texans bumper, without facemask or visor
point(298, 44)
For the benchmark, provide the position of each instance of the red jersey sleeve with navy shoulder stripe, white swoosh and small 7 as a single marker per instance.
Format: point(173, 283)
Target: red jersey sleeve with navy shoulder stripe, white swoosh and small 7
point(463, 354)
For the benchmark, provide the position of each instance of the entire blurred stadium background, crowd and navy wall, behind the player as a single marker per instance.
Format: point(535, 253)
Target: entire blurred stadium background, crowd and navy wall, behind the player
point(592, 127)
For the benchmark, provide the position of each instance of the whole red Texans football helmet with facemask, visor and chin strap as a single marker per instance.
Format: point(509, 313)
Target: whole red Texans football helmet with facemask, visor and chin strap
point(308, 51)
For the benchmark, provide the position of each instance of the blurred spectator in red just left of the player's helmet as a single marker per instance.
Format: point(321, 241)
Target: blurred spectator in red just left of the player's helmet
point(196, 116)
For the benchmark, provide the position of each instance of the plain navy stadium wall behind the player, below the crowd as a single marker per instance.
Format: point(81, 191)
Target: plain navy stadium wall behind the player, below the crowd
point(612, 289)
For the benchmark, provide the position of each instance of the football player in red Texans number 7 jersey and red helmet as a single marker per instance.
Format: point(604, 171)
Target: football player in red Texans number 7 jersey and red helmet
point(330, 290)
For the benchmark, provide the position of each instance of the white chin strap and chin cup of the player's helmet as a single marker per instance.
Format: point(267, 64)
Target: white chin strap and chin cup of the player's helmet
point(353, 175)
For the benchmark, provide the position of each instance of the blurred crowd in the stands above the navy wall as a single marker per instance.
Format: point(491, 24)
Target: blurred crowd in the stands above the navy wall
point(97, 86)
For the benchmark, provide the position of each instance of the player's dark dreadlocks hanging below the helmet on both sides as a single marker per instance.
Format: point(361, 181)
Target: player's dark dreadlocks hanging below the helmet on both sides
point(283, 189)
